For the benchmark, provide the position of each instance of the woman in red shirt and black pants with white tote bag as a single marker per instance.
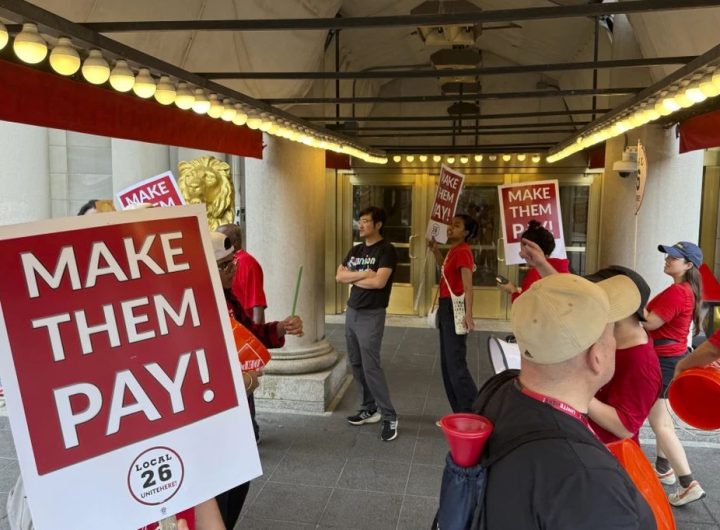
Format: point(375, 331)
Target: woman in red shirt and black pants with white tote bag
point(456, 274)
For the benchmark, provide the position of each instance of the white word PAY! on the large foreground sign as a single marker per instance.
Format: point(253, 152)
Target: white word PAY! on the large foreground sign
point(125, 383)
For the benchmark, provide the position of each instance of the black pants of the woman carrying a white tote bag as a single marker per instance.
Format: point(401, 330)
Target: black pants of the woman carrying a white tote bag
point(459, 385)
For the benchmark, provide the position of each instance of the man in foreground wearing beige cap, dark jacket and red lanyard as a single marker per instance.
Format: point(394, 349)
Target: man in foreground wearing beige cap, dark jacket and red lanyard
point(569, 481)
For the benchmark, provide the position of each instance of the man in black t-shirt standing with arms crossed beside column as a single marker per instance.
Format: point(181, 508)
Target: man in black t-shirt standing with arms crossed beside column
point(369, 269)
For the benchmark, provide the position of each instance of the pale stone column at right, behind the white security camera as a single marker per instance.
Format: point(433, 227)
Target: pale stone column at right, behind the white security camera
point(670, 210)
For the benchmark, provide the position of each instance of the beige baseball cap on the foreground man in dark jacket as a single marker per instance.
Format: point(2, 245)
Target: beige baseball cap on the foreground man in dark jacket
point(562, 315)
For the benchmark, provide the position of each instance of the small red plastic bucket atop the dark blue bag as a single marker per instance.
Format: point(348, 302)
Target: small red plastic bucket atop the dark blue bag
point(466, 435)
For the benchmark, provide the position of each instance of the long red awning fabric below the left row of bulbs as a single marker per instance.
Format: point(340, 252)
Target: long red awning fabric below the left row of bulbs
point(48, 100)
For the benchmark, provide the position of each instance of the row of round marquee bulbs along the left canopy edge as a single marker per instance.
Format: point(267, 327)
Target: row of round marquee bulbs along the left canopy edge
point(30, 47)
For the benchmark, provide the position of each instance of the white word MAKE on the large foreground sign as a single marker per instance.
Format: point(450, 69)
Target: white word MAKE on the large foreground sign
point(102, 262)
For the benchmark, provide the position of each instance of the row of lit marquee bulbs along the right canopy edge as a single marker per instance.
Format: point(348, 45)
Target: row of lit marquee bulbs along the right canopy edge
point(687, 93)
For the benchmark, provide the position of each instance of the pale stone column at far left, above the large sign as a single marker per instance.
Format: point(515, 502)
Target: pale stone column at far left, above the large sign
point(24, 174)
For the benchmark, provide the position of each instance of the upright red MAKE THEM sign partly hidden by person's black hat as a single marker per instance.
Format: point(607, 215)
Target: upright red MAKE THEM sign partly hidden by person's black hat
point(521, 203)
